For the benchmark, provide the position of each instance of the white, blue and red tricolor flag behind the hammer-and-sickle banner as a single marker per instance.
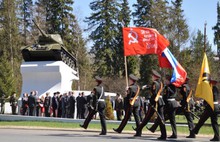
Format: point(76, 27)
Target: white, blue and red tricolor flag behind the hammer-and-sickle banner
point(179, 74)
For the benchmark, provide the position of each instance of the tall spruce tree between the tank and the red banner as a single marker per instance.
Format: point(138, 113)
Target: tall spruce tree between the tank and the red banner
point(103, 24)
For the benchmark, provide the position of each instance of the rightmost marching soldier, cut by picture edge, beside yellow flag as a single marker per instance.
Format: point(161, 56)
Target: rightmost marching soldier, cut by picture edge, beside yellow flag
point(209, 112)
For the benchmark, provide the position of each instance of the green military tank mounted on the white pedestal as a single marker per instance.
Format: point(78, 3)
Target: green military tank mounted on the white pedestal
point(49, 47)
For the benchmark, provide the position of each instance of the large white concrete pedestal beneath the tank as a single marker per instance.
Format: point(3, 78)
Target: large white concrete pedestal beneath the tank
point(47, 76)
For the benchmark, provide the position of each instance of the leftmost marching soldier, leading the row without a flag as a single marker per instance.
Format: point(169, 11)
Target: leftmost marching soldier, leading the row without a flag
point(98, 105)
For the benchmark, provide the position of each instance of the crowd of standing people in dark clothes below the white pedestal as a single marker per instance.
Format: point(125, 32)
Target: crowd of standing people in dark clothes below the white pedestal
point(56, 105)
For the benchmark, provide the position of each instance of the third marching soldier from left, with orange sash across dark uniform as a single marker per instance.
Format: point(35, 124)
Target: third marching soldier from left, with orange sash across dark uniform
point(154, 105)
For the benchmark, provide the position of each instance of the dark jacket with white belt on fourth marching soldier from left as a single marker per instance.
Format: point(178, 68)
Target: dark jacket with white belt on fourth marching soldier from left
point(170, 96)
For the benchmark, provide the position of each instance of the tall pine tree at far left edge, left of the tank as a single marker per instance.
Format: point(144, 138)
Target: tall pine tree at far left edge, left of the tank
point(9, 52)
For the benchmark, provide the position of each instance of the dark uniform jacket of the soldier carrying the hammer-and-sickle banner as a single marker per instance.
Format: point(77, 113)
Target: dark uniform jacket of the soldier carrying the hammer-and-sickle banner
point(132, 90)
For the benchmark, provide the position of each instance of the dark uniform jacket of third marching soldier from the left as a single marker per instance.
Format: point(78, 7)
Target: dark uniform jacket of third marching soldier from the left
point(154, 90)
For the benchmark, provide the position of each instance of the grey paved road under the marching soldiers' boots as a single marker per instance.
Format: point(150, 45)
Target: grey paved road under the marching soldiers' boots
point(44, 135)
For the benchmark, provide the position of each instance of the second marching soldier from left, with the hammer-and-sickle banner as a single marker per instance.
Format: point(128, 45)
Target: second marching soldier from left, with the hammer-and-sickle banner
point(132, 91)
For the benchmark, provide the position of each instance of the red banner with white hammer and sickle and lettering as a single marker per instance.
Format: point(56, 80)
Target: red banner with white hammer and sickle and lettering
point(140, 41)
